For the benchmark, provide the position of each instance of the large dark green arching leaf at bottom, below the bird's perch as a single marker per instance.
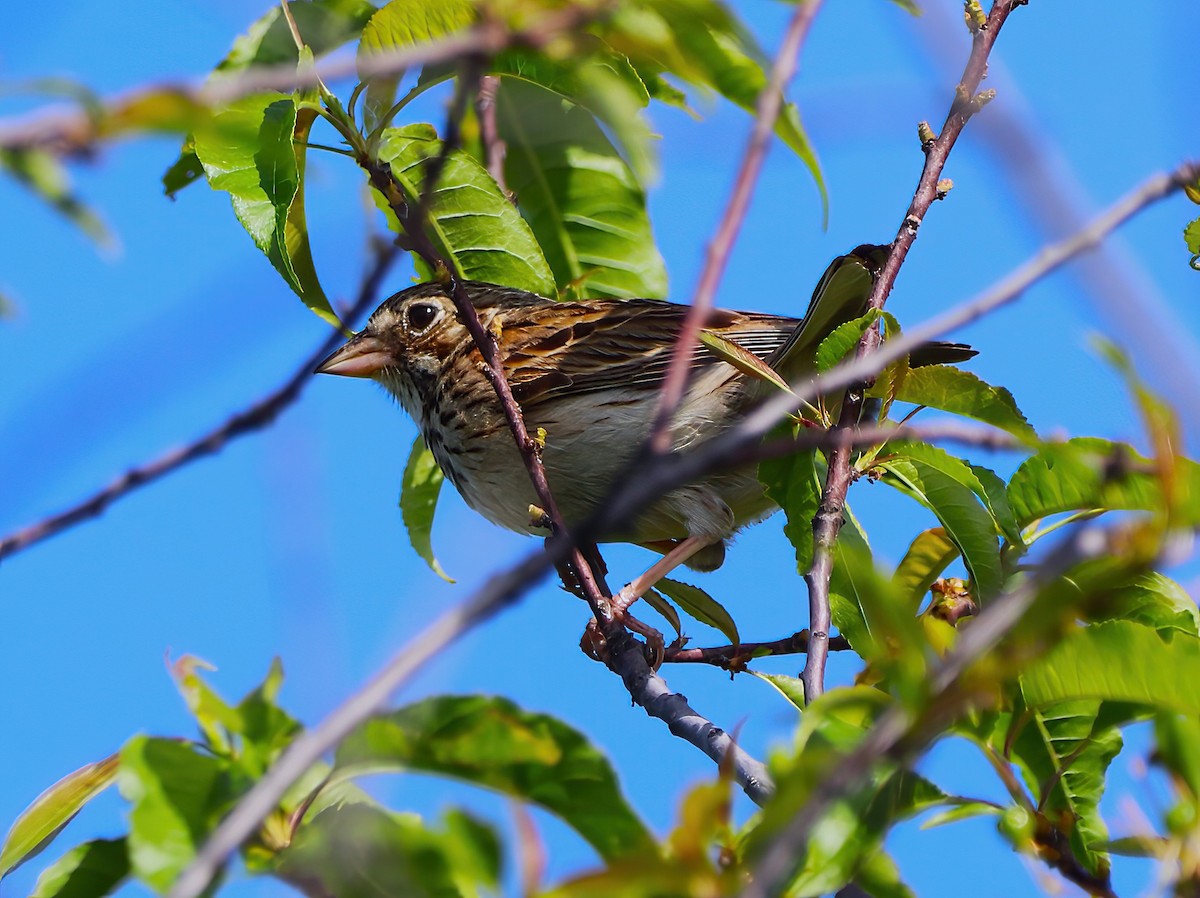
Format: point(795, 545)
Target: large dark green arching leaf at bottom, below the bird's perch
point(494, 744)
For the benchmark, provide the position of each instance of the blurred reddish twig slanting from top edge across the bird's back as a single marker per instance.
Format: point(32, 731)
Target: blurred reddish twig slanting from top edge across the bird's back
point(770, 103)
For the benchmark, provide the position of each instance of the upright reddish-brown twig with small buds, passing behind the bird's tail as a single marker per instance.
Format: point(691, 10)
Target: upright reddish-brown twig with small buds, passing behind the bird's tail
point(827, 523)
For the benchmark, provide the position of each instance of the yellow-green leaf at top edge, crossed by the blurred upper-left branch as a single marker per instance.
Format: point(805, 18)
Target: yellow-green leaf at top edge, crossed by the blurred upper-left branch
point(398, 26)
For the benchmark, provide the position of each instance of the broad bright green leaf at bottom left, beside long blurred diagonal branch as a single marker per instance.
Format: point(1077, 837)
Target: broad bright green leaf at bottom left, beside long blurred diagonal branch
point(178, 795)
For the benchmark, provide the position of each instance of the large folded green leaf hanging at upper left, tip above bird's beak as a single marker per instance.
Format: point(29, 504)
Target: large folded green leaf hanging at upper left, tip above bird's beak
point(250, 153)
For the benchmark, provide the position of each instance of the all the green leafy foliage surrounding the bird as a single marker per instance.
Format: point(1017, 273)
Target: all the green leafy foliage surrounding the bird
point(1107, 643)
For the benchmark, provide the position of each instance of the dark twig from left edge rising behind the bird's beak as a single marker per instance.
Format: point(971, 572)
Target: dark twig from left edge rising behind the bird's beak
point(253, 418)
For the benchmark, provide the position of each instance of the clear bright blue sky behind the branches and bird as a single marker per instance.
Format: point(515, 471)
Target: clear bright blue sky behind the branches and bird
point(290, 543)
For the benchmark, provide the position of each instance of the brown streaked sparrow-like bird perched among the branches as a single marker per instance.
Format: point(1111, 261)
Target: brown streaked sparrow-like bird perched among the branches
point(587, 375)
